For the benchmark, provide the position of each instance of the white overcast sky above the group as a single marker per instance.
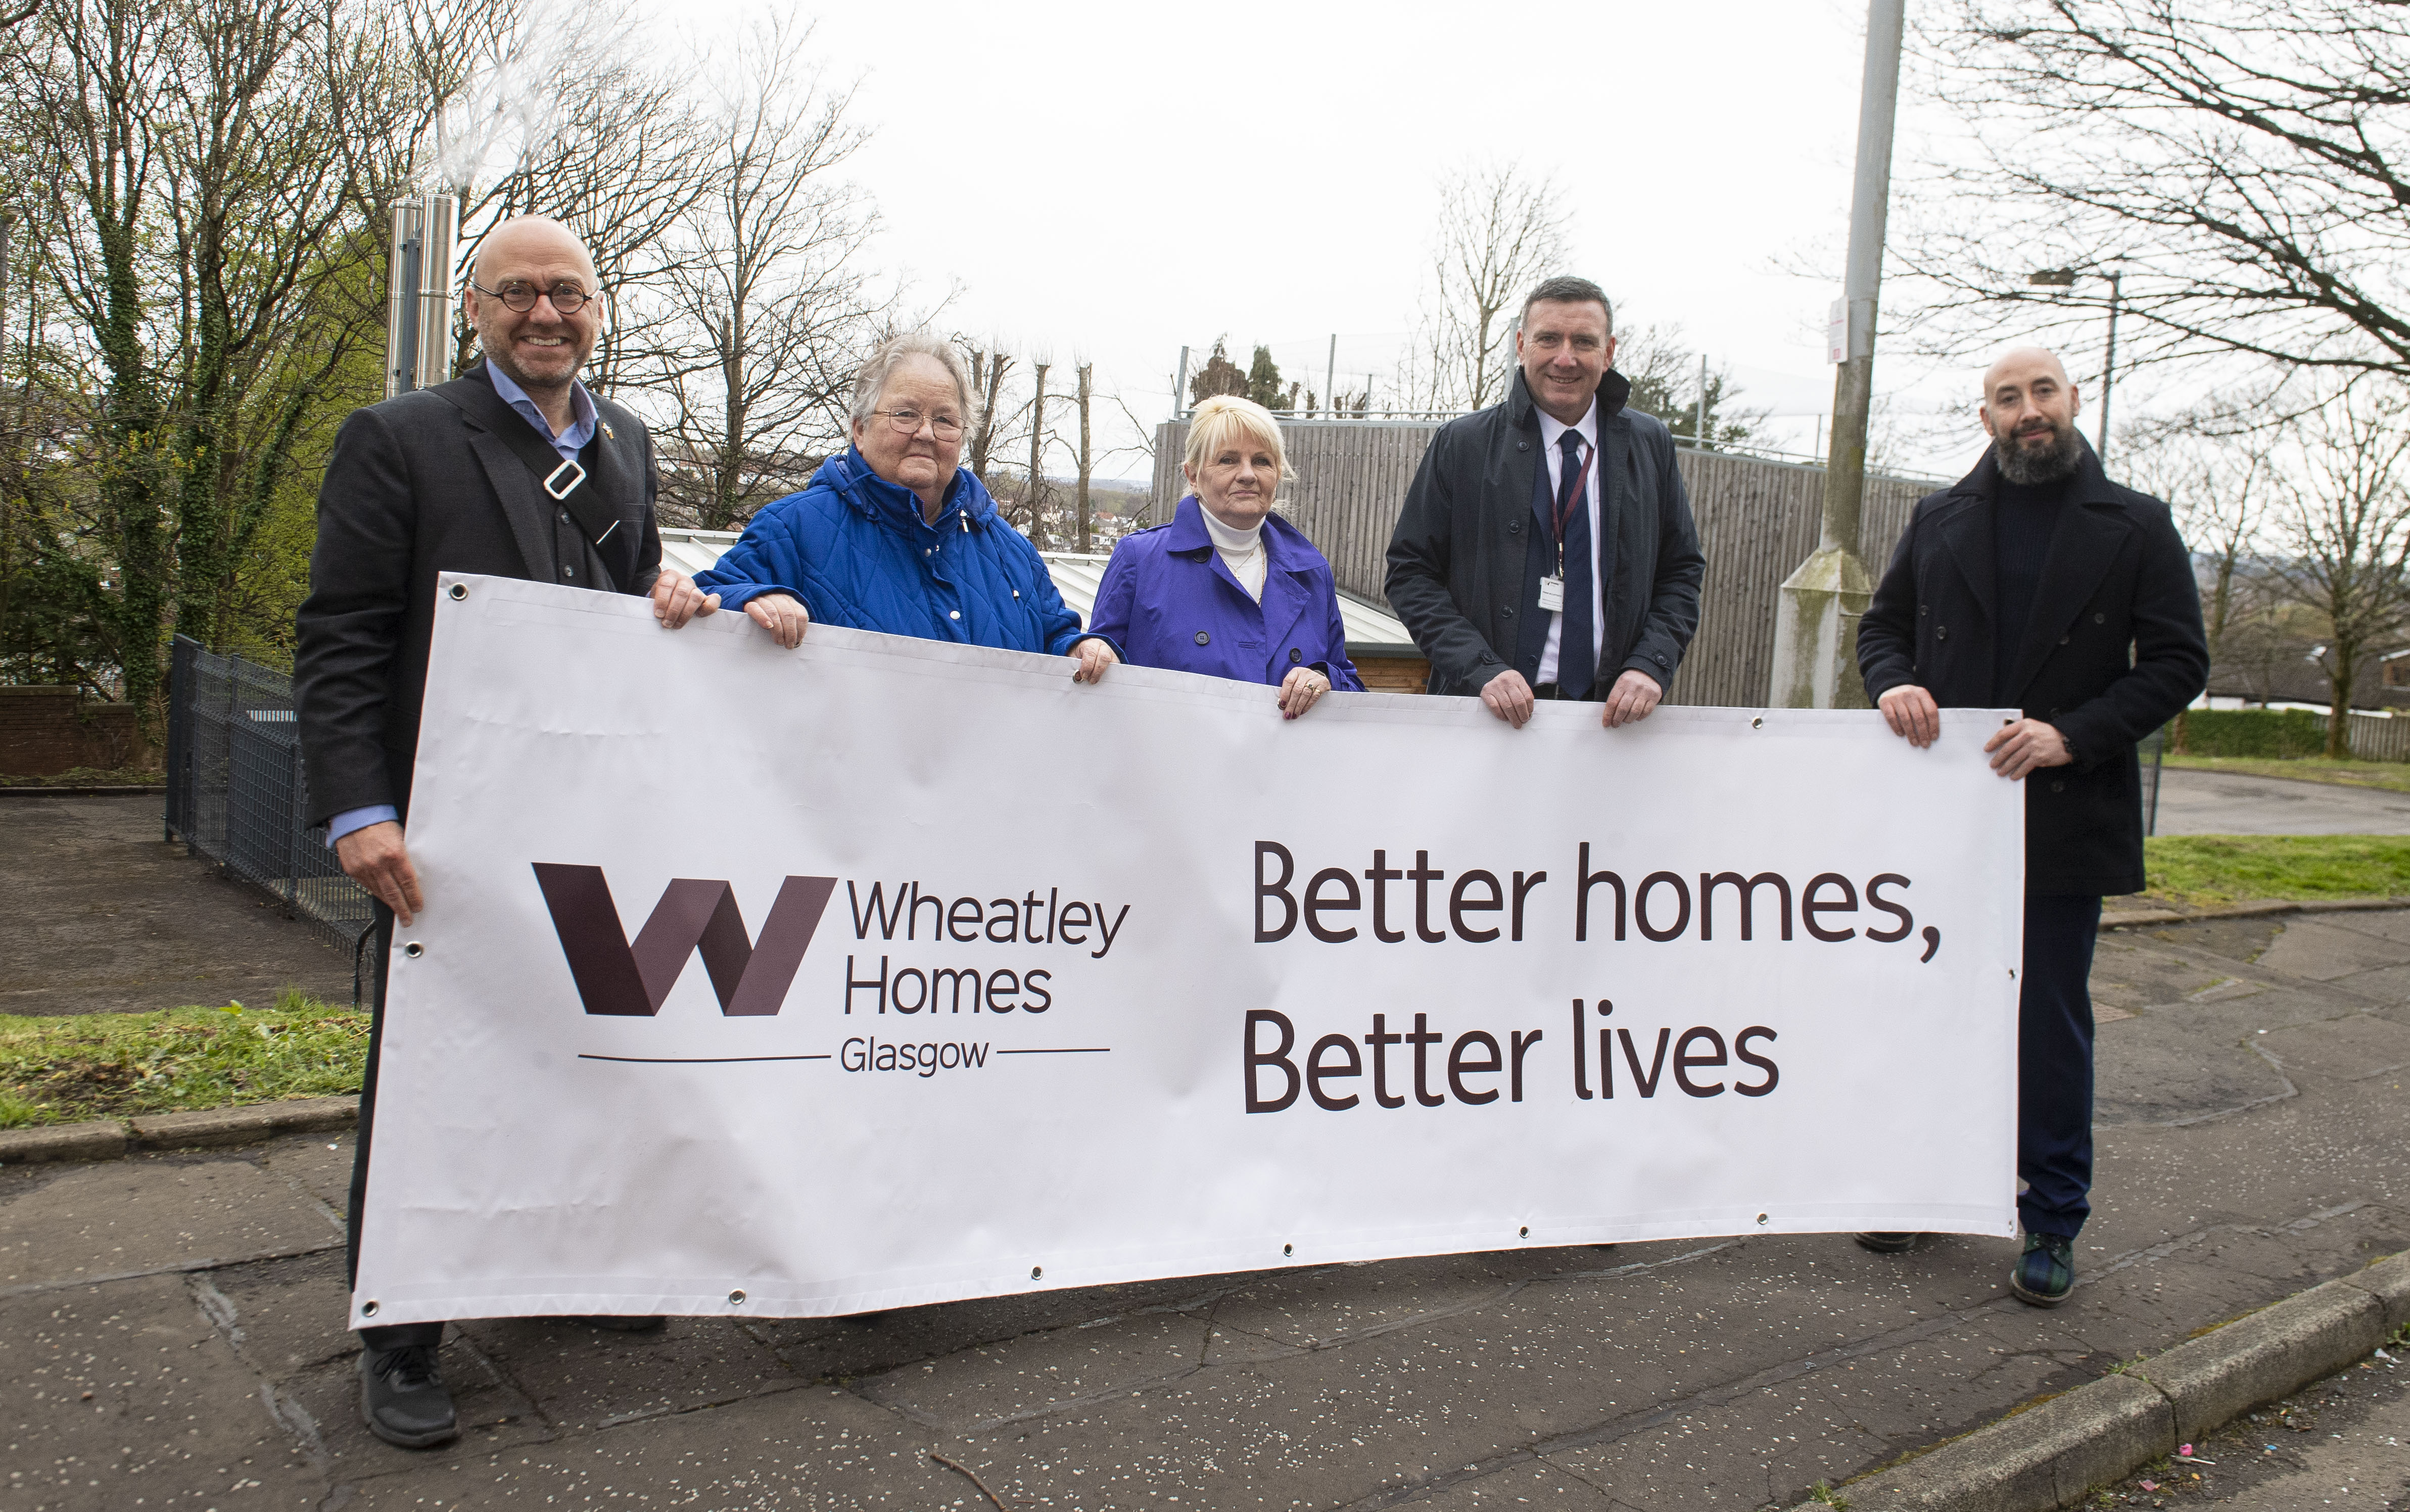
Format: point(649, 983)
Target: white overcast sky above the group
point(1117, 182)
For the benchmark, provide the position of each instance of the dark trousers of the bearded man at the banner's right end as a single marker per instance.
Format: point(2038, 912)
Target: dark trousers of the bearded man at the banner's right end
point(2055, 1065)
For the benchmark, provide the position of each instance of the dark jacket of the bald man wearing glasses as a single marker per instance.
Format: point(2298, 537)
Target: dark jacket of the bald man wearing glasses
point(418, 486)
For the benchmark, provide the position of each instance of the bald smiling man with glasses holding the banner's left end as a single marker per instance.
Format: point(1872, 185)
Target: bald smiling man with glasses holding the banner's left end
point(512, 469)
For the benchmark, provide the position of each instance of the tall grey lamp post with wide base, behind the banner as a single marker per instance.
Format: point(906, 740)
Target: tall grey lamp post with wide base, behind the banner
point(1816, 628)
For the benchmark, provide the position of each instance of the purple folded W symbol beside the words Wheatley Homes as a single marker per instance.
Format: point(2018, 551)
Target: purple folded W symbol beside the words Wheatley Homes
point(633, 978)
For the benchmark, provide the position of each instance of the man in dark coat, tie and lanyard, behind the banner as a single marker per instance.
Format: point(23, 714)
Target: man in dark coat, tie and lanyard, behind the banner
point(1546, 546)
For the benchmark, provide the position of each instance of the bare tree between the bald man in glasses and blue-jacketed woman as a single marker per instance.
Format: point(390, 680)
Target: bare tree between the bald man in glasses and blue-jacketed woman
point(768, 298)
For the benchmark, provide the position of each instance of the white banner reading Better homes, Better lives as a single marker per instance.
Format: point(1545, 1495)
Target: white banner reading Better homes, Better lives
point(886, 973)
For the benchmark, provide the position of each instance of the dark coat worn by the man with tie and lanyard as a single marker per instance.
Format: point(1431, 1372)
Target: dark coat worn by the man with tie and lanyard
point(1469, 551)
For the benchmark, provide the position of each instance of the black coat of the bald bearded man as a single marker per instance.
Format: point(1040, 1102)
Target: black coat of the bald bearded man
point(2112, 652)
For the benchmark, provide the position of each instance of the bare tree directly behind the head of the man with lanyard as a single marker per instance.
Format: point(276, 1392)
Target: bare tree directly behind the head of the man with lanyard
point(1498, 235)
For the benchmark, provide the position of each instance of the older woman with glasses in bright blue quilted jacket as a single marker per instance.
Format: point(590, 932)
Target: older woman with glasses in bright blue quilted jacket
point(898, 537)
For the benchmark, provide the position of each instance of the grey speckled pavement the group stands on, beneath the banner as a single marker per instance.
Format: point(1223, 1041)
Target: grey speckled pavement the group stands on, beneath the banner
point(172, 1323)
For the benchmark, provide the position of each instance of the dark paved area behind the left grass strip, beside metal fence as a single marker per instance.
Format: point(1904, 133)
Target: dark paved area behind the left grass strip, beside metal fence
point(105, 918)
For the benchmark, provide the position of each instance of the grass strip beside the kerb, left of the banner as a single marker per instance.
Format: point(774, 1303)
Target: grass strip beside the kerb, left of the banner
point(117, 1065)
